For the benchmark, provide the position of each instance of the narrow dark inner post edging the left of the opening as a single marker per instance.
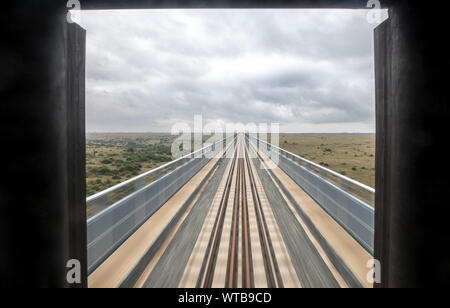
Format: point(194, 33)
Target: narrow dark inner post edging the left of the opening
point(76, 137)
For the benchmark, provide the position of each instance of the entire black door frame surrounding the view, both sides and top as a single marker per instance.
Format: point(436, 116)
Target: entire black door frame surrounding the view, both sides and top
point(43, 122)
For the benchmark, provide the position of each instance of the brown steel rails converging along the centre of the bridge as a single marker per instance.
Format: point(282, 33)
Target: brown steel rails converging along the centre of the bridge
point(240, 271)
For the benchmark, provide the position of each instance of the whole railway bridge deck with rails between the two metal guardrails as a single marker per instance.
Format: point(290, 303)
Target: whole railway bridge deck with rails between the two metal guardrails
point(242, 229)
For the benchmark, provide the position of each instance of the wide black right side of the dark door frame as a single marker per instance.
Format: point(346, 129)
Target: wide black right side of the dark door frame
point(412, 211)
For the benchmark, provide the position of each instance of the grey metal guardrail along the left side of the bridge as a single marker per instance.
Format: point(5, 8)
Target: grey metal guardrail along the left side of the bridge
point(125, 207)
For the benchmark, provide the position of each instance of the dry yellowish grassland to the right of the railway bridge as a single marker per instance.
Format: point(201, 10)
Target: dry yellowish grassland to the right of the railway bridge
point(352, 155)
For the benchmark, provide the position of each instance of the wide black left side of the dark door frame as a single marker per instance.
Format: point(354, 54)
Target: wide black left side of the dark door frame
point(42, 210)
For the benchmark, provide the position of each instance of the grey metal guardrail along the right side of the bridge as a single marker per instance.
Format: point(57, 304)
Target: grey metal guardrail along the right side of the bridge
point(342, 198)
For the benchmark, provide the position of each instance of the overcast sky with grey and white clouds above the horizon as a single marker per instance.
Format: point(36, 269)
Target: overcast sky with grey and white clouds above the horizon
point(309, 70)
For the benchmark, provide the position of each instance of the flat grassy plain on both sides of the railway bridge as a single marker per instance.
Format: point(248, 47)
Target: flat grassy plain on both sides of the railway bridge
point(116, 157)
